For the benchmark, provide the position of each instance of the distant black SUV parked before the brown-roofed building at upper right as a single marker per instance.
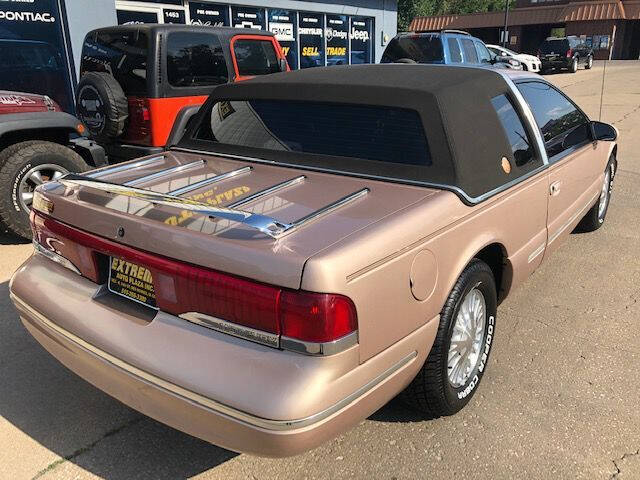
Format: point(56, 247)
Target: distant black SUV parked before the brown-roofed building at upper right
point(565, 53)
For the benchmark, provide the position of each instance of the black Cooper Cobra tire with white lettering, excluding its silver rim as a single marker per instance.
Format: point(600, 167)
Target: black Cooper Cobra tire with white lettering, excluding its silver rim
point(432, 391)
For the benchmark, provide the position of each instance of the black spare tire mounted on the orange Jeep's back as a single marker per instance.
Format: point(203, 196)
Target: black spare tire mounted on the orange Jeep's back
point(102, 105)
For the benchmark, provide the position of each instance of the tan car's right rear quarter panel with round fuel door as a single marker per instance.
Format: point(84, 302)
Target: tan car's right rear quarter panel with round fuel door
point(373, 266)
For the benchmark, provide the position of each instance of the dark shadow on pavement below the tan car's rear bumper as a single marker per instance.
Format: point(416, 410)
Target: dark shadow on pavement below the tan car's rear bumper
point(52, 406)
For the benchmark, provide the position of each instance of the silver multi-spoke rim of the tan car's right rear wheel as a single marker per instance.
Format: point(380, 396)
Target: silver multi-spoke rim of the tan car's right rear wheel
point(466, 340)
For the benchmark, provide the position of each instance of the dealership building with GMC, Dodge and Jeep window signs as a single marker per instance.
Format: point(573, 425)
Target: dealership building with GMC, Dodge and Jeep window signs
point(312, 33)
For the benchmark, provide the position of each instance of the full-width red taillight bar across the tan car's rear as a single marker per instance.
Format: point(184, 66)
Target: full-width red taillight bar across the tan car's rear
point(184, 288)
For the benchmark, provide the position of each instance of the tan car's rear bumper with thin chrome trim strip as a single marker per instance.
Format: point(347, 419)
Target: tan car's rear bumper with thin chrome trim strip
point(264, 401)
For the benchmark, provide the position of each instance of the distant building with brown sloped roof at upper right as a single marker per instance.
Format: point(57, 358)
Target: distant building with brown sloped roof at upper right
point(611, 27)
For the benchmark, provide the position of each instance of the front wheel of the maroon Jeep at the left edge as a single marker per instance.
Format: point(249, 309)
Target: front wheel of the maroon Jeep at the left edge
point(23, 167)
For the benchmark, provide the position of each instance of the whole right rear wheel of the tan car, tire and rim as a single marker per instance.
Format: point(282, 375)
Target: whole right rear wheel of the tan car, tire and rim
point(457, 361)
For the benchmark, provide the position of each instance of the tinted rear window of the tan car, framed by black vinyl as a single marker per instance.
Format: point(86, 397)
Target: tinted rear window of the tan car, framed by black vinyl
point(382, 134)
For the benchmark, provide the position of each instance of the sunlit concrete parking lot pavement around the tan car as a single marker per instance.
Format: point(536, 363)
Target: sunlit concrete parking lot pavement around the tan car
point(560, 398)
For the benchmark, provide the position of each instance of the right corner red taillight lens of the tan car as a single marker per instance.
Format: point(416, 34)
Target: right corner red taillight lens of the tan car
point(316, 317)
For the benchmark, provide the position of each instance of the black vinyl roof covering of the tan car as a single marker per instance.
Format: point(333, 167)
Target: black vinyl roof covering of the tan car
point(466, 139)
